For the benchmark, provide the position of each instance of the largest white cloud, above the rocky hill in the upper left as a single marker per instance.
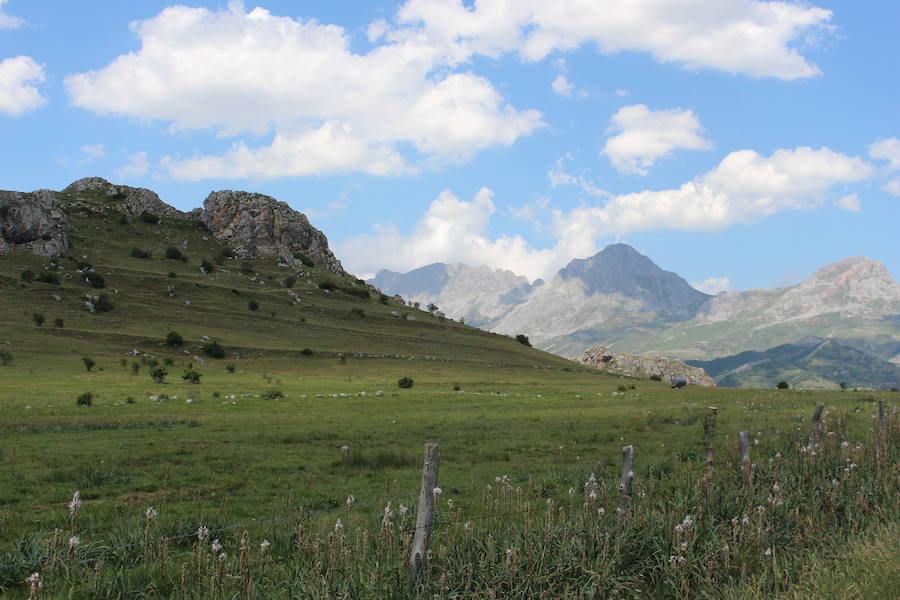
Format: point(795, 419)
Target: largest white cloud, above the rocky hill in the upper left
point(332, 110)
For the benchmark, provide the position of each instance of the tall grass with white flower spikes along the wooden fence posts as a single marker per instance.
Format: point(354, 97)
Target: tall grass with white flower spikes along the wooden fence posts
point(557, 536)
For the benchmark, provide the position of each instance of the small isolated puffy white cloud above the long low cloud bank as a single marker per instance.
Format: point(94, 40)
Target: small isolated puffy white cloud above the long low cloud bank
point(645, 135)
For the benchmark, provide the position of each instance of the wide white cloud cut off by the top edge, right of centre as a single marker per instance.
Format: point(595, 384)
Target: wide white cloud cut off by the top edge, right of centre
point(752, 37)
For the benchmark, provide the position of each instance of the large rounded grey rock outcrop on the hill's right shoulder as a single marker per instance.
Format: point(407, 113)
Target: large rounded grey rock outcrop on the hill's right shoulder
point(259, 224)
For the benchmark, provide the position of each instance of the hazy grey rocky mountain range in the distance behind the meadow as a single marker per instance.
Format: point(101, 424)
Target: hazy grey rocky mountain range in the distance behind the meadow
point(621, 299)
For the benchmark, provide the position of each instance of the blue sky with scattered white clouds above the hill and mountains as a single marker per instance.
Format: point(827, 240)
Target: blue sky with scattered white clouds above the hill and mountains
point(739, 143)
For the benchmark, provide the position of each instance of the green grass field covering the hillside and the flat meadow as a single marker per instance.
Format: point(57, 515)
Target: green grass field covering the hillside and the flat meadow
point(259, 443)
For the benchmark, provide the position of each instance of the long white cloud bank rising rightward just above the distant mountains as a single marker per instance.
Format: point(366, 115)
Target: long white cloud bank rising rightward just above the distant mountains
point(743, 188)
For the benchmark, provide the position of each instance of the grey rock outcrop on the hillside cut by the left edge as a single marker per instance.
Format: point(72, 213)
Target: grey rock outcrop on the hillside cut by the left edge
point(33, 221)
